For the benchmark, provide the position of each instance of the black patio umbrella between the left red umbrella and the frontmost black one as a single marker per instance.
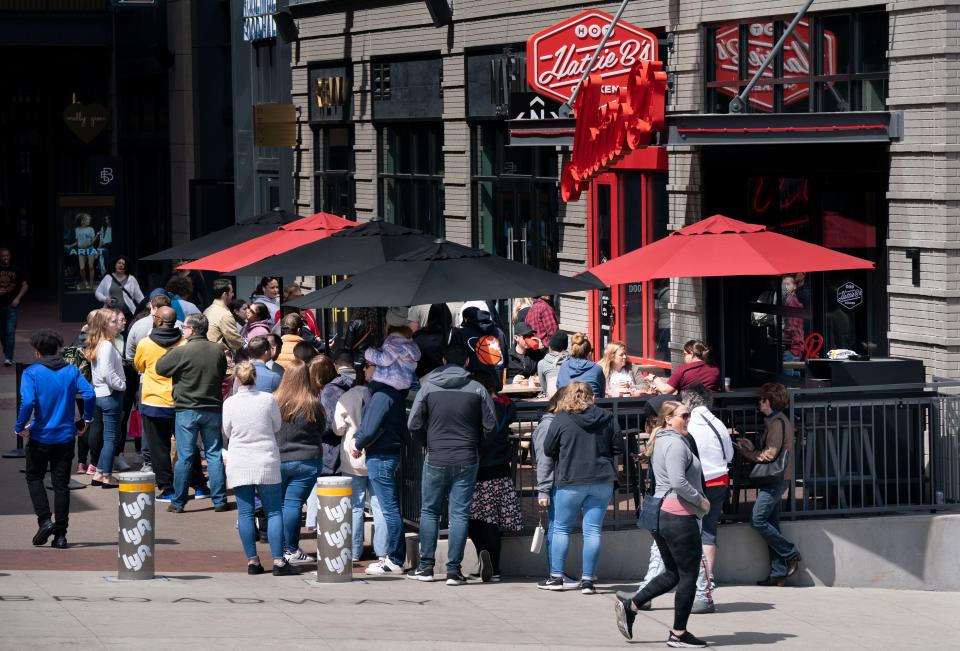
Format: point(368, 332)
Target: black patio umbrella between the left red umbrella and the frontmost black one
point(349, 251)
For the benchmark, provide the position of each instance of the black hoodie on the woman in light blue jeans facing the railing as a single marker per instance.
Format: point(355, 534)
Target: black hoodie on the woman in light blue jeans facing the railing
point(584, 445)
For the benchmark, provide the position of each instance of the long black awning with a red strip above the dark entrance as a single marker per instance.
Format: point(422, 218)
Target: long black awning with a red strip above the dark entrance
point(784, 128)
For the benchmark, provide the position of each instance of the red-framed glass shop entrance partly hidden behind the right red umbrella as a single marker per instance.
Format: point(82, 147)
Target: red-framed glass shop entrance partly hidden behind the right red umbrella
point(627, 210)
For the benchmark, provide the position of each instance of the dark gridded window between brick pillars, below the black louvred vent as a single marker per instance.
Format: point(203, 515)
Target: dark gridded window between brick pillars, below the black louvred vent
point(410, 164)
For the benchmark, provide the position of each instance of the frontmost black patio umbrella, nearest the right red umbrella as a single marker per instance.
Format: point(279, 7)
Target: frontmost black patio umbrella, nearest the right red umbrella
point(439, 273)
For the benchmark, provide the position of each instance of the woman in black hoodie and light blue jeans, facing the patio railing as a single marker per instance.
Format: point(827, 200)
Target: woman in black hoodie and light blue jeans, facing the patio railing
point(584, 440)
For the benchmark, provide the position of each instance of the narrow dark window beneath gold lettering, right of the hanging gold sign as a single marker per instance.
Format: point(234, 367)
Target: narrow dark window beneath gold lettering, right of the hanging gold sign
point(333, 182)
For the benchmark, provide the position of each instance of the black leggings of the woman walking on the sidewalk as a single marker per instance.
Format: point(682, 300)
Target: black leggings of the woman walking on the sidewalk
point(679, 542)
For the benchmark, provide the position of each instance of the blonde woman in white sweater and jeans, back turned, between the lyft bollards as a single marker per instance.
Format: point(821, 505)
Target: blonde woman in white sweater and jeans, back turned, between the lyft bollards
point(251, 420)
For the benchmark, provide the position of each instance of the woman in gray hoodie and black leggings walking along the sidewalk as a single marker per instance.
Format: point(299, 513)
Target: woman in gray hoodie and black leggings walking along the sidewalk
point(679, 482)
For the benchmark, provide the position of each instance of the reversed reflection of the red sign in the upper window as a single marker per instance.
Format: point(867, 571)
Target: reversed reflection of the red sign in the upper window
point(760, 40)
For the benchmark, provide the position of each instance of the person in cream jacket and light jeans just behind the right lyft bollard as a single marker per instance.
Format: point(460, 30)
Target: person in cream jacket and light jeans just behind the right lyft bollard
point(346, 420)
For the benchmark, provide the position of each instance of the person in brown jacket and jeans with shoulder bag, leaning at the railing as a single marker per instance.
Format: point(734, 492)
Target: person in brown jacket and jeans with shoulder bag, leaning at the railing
point(777, 436)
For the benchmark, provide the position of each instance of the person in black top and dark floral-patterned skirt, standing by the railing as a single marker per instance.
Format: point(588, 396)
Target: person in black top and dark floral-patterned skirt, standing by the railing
point(495, 505)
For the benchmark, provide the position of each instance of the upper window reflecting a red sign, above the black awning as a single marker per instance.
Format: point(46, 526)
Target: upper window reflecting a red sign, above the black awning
point(831, 62)
